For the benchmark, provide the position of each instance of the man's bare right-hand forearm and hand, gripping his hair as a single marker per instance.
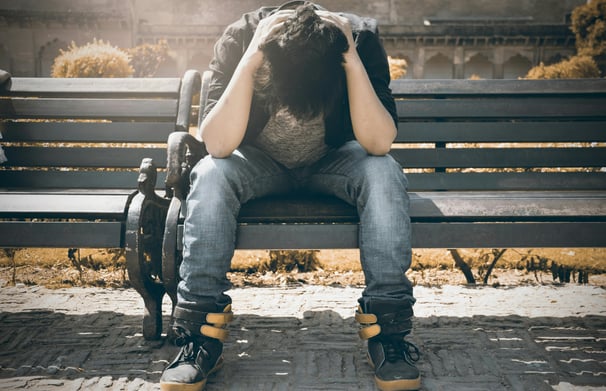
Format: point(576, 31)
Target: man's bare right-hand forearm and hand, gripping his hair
point(373, 126)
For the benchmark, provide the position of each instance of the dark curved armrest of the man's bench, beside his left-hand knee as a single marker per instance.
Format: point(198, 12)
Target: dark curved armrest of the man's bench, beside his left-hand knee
point(183, 151)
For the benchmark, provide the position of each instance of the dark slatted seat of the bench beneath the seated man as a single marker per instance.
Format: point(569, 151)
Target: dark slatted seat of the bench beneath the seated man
point(440, 220)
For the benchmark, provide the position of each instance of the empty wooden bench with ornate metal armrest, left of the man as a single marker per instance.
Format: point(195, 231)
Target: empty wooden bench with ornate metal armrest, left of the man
point(74, 147)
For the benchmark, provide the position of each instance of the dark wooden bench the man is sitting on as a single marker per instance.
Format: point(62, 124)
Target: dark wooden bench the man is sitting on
point(491, 164)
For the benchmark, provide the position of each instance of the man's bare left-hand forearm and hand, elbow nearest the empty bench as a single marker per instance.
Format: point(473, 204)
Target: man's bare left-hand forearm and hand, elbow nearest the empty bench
point(224, 127)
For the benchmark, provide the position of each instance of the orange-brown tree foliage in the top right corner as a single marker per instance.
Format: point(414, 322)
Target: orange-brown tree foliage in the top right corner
point(589, 27)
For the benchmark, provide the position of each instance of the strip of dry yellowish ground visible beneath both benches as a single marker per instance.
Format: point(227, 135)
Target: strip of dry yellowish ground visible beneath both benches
point(56, 268)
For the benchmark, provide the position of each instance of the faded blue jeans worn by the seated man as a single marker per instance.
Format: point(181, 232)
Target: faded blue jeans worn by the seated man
point(376, 185)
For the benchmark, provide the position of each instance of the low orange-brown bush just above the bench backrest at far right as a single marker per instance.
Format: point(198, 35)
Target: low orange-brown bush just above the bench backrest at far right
point(576, 67)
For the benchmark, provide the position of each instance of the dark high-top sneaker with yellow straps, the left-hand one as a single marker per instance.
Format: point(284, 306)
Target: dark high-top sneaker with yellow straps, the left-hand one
point(200, 335)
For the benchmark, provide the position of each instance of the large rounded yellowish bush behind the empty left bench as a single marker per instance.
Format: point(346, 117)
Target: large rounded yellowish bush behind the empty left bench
point(94, 59)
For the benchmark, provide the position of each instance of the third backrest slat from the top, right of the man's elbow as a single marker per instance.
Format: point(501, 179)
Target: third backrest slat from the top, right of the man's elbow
point(494, 132)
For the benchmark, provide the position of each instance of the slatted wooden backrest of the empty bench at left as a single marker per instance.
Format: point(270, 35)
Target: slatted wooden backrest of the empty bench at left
point(88, 133)
